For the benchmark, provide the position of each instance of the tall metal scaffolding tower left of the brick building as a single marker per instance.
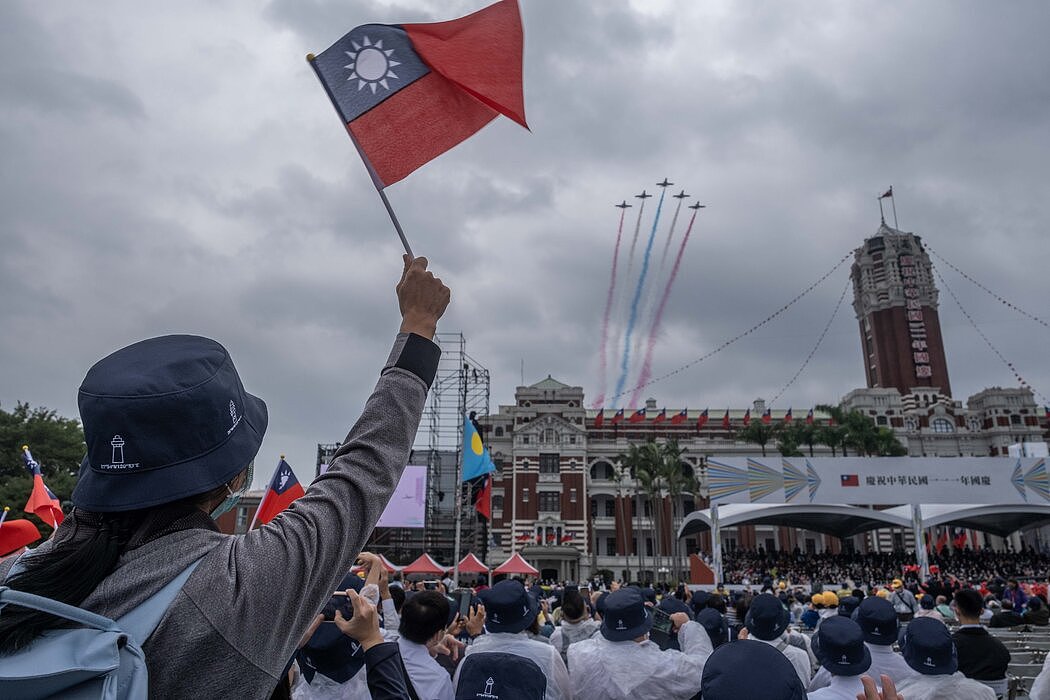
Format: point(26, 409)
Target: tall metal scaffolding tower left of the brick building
point(460, 388)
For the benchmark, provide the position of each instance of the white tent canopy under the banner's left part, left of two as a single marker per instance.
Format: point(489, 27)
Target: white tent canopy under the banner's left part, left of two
point(834, 520)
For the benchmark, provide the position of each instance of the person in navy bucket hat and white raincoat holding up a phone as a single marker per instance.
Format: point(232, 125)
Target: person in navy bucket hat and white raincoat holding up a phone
point(621, 664)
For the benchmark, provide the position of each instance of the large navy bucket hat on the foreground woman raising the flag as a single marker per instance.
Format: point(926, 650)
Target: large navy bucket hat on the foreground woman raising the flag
point(164, 419)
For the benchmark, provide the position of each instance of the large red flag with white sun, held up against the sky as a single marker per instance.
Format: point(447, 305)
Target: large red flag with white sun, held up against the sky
point(409, 93)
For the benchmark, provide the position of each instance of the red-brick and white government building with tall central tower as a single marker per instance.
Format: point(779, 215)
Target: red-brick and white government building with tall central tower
point(557, 500)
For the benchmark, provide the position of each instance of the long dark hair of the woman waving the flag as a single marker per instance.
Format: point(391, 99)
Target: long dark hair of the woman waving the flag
point(86, 550)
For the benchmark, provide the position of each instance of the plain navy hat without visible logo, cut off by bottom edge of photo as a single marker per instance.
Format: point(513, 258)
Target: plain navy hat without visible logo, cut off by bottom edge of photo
point(730, 674)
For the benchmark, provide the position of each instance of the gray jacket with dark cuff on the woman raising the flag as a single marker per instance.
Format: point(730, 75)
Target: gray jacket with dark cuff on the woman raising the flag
point(236, 625)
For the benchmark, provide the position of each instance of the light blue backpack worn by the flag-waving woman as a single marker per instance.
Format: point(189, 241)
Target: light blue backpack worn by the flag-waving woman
point(100, 661)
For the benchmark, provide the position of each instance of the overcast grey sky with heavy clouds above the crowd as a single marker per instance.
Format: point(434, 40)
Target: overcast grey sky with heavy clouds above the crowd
point(176, 168)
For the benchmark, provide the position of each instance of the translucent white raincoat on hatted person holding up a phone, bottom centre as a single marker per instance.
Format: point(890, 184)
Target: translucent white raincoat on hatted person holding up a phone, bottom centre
point(634, 671)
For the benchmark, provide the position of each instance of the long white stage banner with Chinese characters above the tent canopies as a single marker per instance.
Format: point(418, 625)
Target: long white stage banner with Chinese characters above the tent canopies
point(883, 480)
